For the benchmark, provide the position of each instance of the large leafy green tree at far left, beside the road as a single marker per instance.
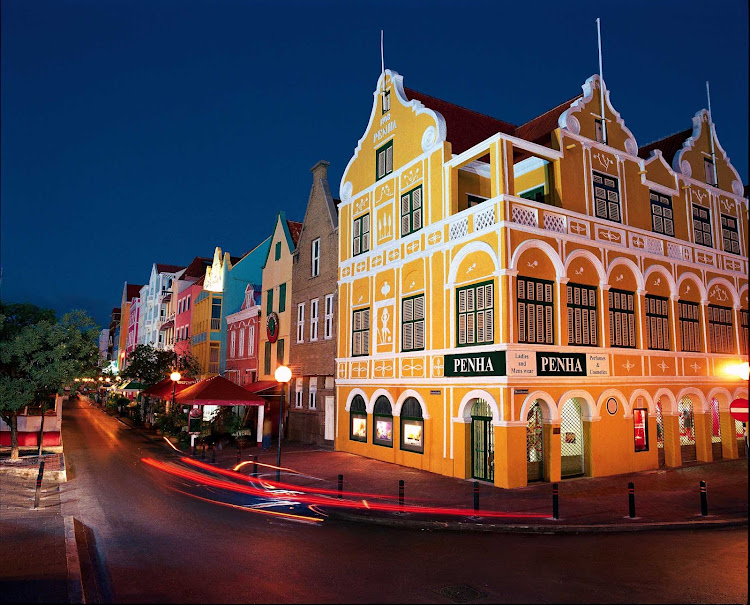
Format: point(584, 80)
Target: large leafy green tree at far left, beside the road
point(39, 356)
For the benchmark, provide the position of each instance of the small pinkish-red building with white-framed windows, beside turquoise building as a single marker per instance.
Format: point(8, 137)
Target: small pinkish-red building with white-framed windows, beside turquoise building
point(242, 339)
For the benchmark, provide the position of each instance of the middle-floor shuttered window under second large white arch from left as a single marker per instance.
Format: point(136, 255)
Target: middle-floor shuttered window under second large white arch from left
point(535, 310)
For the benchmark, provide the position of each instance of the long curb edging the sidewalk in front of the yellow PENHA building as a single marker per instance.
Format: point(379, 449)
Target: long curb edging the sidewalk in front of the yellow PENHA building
point(536, 529)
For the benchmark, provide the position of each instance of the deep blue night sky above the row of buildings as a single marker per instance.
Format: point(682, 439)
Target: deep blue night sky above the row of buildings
point(135, 132)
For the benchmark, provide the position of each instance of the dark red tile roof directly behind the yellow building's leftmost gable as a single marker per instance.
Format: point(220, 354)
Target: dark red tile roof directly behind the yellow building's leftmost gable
point(464, 127)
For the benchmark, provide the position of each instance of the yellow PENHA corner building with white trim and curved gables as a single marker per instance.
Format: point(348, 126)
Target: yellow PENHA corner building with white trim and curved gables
point(541, 301)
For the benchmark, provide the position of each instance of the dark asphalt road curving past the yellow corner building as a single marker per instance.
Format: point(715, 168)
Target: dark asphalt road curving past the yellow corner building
point(159, 545)
